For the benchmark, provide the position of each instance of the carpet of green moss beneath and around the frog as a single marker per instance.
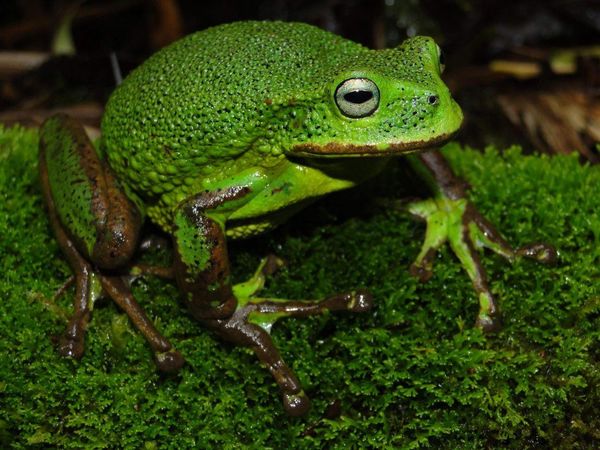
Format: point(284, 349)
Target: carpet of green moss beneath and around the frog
point(413, 373)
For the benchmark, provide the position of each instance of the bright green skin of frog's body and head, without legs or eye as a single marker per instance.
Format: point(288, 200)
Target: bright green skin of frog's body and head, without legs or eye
point(231, 104)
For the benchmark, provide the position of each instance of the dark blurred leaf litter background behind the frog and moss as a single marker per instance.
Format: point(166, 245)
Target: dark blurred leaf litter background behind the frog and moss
point(527, 74)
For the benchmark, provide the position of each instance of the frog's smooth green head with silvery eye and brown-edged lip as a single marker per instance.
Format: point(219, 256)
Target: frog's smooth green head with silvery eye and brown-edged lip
point(383, 102)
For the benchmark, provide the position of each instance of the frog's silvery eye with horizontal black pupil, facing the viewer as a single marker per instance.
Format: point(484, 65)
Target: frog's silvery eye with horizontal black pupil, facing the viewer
point(357, 97)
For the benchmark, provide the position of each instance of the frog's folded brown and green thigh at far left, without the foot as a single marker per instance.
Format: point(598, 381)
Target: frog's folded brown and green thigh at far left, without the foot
point(101, 221)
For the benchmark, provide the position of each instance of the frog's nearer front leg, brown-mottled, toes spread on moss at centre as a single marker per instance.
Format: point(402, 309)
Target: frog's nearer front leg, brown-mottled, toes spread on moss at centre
point(203, 275)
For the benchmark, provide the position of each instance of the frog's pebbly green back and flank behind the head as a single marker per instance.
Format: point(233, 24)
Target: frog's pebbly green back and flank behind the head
point(201, 100)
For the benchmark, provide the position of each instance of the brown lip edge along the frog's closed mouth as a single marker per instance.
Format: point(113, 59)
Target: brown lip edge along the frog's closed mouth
point(393, 148)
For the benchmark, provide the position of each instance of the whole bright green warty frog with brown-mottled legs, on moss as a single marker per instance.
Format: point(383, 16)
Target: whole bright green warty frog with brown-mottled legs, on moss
point(227, 133)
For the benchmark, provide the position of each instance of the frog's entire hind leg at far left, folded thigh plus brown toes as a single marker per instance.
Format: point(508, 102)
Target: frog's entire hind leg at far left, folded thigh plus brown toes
point(97, 229)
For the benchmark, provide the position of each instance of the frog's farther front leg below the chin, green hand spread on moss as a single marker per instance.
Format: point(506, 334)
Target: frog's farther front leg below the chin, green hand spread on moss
point(450, 217)
